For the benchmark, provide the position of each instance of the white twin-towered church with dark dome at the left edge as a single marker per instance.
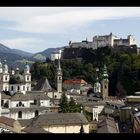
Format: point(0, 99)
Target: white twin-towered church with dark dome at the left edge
point(14, 81)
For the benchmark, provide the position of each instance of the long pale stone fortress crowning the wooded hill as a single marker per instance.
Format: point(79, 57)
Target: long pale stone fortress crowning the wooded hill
point(102, 41)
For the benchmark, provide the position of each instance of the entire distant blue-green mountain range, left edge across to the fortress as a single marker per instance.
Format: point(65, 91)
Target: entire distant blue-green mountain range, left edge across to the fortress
point(18, 58)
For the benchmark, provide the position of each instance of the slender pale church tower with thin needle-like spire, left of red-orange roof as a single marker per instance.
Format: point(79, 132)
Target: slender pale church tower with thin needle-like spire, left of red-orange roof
point(59, 78)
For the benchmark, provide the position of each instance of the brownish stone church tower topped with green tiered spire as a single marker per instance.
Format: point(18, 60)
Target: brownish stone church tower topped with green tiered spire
point(104, 83)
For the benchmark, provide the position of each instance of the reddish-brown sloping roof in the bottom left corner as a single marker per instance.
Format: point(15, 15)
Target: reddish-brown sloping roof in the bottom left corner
point(7, 121)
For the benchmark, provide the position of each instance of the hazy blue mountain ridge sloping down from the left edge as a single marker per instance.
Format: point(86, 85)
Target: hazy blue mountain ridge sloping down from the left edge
point(5, 49)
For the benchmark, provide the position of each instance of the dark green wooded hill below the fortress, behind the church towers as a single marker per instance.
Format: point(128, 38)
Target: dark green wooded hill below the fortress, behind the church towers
point(123, 68)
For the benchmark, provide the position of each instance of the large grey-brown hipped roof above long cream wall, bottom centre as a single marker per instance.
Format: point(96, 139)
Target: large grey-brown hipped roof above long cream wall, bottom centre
point(60, 119)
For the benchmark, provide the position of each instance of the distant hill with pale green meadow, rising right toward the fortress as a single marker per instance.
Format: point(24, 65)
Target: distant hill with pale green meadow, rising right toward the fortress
point(46, 53)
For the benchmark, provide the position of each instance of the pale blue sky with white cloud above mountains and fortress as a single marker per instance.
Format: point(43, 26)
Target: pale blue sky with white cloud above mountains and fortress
point(35, 29)
